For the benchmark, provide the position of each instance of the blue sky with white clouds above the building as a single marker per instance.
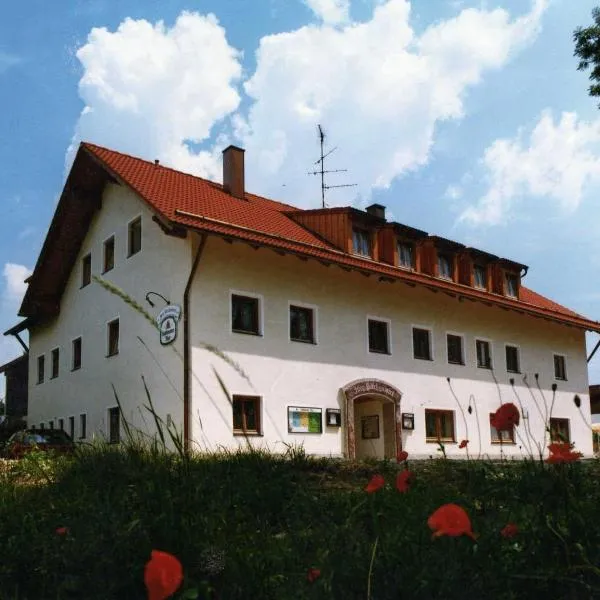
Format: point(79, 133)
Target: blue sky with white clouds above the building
point(467, 119)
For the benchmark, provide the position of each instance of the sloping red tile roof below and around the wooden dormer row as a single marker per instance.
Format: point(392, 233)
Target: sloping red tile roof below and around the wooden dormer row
point(203, 205)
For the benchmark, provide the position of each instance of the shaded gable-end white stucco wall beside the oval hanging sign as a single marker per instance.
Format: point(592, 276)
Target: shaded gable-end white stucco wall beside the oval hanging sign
point(161, 266)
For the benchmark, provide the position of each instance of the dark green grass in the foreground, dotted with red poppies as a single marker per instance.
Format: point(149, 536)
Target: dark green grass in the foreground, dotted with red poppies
point(250, 525)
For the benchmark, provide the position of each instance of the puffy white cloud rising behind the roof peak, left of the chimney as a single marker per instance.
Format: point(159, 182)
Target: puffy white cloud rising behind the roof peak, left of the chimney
point(158, 91)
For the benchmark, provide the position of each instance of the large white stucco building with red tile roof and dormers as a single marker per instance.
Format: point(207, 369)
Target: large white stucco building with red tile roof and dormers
point(341, 331)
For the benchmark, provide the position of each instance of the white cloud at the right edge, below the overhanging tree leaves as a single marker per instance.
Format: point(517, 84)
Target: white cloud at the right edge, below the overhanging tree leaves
point(559, 161)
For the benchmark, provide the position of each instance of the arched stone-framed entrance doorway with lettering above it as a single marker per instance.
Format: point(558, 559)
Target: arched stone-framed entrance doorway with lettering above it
point(372, 419)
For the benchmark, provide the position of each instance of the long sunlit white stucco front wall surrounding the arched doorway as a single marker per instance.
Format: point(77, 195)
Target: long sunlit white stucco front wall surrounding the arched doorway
point(285, 373)
